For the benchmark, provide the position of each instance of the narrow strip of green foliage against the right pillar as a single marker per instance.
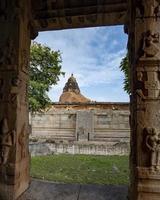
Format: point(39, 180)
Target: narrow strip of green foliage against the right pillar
point(124, 66)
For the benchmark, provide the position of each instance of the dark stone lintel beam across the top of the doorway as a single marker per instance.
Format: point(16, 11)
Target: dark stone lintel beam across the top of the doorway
point(52, 15)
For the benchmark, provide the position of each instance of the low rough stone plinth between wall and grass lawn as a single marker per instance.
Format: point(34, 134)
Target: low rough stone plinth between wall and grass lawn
point(90, 148)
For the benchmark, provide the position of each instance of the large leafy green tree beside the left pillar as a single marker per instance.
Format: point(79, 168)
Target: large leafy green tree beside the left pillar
point(44, 71)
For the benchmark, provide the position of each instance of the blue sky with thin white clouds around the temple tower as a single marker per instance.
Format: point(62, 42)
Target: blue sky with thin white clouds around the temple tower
point(93, 55)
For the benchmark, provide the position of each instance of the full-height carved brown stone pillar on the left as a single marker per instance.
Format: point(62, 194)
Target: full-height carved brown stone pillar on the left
point(14, 60)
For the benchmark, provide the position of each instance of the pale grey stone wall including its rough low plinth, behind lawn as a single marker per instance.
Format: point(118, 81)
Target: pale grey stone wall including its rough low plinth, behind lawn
point(87, 131)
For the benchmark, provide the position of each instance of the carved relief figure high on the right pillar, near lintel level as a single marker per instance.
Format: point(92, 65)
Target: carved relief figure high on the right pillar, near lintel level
point(150, 47)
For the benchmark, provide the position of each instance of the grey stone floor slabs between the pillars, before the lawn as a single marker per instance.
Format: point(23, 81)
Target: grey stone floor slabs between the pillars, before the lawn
point(43, 190)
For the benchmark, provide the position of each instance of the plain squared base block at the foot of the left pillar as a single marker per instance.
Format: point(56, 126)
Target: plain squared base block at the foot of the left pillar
point(14, 180)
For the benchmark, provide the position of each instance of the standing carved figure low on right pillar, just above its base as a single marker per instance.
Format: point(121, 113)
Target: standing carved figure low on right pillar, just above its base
point(153, 144)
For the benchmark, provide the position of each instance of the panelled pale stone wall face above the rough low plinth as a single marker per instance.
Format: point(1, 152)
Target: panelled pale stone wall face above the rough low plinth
point(110, 125)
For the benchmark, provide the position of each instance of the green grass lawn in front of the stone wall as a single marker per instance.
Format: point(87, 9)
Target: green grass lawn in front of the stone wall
point(83, 169)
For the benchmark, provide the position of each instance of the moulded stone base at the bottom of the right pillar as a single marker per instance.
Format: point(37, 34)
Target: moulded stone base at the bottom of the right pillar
point(148, 183)
